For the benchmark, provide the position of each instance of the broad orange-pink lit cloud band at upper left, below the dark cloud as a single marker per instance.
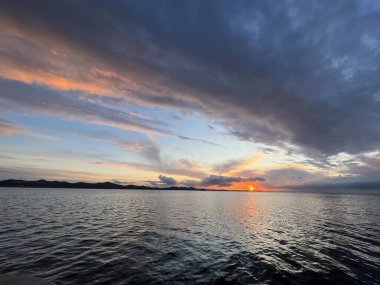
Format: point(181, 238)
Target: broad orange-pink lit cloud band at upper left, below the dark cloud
point(37, 55)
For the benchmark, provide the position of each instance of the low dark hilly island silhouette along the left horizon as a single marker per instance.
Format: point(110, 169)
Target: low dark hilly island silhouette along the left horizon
point(83, 185)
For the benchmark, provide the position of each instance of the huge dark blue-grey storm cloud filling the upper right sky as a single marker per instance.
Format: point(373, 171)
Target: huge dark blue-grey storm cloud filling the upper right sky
point(300, 72)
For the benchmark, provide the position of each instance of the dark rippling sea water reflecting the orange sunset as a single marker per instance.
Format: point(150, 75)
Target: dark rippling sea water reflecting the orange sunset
point(166, 237)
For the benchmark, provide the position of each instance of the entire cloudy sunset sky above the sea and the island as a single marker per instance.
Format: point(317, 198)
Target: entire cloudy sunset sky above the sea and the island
point(214, 94)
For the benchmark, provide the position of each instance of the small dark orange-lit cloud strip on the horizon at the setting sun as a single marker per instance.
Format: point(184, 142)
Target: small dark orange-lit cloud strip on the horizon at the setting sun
point(220, 181)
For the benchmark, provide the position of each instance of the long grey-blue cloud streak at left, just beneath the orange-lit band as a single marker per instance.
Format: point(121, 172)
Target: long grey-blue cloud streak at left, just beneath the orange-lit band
point(18, 96)
